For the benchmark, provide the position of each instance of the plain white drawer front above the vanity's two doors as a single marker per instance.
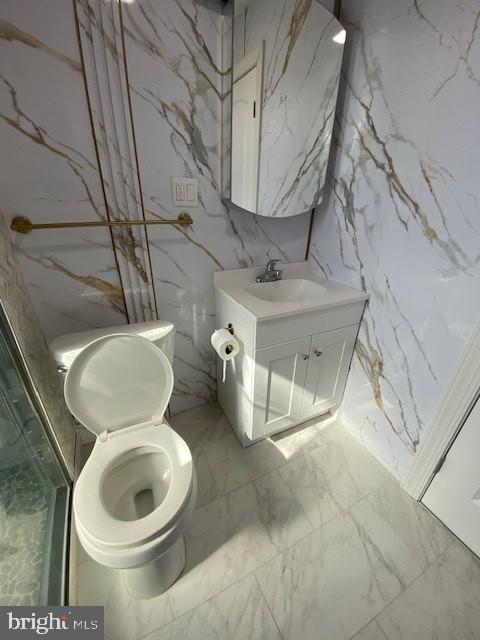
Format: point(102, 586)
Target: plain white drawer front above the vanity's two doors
point(272, 332)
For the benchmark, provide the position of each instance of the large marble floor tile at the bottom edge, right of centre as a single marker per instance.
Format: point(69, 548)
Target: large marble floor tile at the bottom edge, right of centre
point(336, 580)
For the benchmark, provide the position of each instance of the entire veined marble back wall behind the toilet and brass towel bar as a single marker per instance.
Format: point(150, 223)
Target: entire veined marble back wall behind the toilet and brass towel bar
point(173, 55)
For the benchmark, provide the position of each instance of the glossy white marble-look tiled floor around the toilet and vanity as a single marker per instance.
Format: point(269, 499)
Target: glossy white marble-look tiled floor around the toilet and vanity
point(274, 558)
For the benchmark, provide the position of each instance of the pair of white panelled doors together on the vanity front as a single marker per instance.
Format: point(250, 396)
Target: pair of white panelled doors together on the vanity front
point(300, 379)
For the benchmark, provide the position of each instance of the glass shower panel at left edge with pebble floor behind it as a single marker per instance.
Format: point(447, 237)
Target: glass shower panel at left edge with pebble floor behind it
point(34, 495)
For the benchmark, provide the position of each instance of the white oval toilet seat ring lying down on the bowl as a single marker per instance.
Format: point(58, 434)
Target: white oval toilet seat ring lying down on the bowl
point(97, 520)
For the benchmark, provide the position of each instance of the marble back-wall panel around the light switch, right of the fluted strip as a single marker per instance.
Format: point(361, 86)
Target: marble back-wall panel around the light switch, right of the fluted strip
point(174, 58)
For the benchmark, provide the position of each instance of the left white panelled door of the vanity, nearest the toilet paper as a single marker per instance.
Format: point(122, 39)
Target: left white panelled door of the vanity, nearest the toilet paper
point(278, 386)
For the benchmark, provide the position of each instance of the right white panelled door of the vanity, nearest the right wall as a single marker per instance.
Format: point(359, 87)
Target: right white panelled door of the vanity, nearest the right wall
point(328, 364)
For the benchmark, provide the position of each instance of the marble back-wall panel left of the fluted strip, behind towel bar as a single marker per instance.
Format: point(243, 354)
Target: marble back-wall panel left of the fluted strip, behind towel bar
point(52, 172)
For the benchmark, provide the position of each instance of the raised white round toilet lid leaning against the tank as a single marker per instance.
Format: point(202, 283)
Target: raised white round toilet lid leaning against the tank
point(119, 381)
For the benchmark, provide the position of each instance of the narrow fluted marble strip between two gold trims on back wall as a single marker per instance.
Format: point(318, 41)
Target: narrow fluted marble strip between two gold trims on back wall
point(103, 57)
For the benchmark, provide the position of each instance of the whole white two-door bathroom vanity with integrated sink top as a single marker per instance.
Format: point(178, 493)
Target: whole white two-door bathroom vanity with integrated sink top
point(296, 340)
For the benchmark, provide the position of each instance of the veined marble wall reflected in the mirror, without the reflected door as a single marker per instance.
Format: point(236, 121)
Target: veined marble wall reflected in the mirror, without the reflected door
point(300, 84)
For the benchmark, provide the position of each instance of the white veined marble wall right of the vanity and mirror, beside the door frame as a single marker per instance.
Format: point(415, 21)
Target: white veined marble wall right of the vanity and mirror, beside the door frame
point(401, 218)
